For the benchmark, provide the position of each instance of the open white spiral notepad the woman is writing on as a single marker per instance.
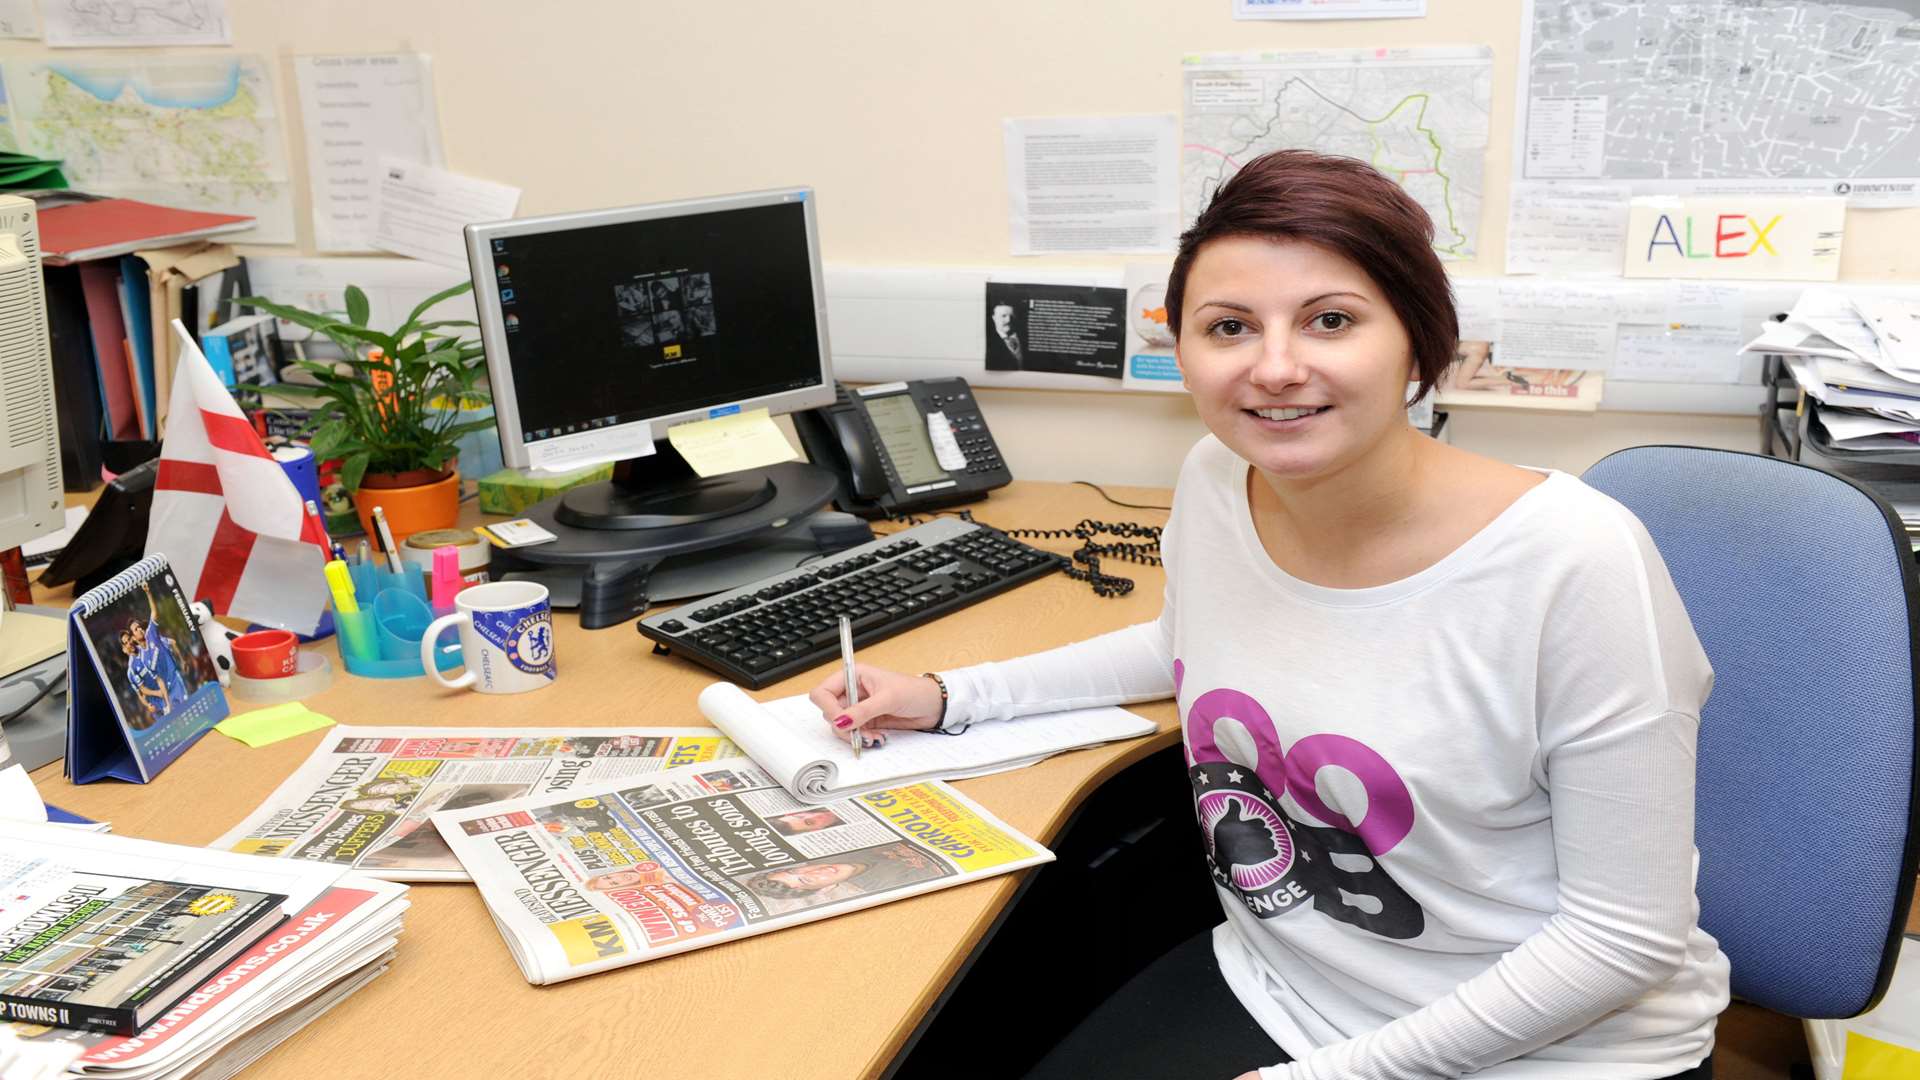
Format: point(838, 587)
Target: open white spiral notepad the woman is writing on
point(792, 741)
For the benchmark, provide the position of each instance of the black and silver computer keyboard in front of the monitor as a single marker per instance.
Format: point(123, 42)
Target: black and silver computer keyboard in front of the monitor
point(784, 624)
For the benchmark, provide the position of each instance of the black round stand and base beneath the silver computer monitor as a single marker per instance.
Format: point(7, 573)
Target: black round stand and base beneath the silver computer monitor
point(613, 535)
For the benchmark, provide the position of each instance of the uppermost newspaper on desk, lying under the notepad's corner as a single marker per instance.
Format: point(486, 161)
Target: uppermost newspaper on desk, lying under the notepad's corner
point(706, 854)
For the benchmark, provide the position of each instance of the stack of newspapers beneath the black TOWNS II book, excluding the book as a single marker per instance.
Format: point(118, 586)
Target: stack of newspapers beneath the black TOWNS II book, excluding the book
point(341, 935)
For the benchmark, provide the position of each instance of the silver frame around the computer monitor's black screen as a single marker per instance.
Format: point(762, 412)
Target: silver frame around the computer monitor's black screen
point(494, 326)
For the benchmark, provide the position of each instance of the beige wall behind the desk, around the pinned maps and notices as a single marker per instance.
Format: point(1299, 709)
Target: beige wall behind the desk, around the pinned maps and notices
point(894, 114)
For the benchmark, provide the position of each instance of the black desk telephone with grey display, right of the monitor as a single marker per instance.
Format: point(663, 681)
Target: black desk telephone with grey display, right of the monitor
point(905, 447)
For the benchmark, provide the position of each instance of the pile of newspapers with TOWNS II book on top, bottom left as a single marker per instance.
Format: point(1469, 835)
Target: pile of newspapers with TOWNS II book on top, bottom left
point(82, 914)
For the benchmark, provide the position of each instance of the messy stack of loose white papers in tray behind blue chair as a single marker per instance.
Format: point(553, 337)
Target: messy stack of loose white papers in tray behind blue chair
point(1860, 360)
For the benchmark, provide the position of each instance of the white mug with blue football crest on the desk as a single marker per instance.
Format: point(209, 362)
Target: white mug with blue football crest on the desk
point(506, 637)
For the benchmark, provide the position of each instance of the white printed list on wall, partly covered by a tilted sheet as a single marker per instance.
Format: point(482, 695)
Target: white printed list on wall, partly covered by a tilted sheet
point(358, 110)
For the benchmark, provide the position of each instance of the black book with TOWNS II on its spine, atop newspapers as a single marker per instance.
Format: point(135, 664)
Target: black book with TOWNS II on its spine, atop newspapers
point(87, 945)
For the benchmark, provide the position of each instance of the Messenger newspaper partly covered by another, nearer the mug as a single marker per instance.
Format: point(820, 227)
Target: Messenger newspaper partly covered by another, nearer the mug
point(366, 795)
